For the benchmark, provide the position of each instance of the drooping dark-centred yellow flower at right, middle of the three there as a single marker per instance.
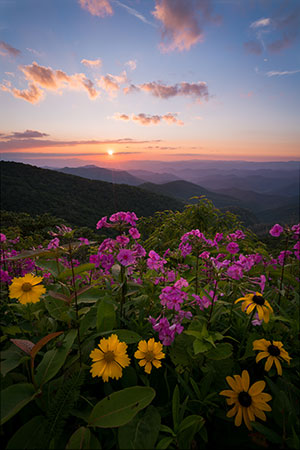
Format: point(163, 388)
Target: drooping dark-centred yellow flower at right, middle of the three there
point(274, 351)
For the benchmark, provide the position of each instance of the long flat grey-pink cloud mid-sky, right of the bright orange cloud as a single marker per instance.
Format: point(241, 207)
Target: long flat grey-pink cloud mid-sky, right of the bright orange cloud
point(197, 90)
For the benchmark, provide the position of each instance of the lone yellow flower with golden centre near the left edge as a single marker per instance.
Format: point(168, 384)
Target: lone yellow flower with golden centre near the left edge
point(27, 289)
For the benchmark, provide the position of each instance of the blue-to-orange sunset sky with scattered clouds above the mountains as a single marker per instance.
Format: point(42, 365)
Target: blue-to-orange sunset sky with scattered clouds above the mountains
point(107, 81)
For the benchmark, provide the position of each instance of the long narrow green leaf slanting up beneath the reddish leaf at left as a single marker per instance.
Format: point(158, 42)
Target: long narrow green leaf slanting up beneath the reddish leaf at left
point(54, 359)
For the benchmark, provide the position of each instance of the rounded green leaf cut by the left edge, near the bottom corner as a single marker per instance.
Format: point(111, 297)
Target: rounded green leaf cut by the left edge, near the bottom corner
point(14, 398)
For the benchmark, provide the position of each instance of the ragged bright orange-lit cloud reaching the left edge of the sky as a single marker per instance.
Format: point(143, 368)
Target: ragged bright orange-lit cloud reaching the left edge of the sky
point(47, 78)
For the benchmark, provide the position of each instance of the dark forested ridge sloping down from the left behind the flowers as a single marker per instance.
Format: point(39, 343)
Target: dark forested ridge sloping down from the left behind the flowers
point(82, 202)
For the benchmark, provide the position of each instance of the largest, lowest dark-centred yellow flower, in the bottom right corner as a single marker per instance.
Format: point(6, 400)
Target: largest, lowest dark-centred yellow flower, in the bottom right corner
point(248, 401)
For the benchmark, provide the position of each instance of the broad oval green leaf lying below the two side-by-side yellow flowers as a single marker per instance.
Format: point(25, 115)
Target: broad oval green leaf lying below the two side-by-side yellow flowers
point(120, 407)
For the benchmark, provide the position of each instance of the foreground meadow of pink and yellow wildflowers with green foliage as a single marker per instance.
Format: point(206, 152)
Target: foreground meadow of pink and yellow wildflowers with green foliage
point(175, 331)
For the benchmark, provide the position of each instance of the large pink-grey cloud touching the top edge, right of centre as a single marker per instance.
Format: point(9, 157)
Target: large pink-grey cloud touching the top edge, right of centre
point(182, 22)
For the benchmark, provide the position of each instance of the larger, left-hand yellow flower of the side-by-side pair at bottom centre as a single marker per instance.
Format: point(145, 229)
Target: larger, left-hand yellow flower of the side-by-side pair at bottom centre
point(110, 359)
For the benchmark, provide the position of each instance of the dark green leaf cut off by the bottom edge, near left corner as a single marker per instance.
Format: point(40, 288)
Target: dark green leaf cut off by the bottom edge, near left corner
point(30, 435)
